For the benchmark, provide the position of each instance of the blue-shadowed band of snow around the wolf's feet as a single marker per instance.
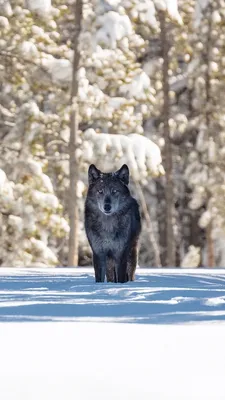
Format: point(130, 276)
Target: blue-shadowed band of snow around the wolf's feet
point(157, 296)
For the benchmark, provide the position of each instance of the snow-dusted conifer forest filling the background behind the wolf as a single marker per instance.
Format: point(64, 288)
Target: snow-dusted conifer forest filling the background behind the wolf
point(109, 82)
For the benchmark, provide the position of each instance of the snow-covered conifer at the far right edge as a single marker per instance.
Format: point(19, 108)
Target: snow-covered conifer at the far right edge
point(205, 172)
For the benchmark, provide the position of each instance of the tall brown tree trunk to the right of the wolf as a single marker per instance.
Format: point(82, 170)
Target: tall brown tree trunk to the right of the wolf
point(168, 159)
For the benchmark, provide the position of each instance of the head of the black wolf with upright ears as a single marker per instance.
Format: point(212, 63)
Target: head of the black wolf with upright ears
point(109, 190)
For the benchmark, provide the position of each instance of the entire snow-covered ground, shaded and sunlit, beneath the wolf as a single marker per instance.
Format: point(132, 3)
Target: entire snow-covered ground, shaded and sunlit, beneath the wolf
point(64, 337)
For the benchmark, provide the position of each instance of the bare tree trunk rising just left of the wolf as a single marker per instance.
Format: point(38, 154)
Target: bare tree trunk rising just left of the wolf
point(73, 163)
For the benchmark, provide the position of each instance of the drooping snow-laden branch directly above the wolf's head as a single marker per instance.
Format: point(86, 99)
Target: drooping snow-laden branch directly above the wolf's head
point(109, 150)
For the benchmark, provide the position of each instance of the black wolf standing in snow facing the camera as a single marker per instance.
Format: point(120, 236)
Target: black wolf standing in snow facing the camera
point(112, 224)
